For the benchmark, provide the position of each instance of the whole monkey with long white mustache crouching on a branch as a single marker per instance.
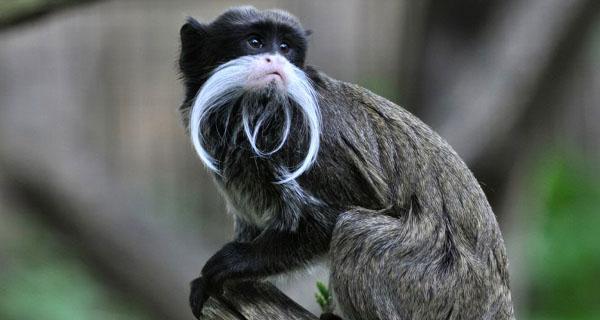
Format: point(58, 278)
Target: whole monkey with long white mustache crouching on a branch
point(311, 167)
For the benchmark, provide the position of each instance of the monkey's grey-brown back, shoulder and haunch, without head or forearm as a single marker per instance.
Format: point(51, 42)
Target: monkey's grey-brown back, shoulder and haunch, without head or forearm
point(417, 239)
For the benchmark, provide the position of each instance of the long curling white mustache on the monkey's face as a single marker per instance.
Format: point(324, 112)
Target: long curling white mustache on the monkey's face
point(228, 83)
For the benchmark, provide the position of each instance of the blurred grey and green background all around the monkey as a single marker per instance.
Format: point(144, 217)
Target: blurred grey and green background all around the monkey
point(106, 213)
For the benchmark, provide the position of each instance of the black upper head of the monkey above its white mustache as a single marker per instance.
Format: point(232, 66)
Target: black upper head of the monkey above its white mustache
point(238, 32)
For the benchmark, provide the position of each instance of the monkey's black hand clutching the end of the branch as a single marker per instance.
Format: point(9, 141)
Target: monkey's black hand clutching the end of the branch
point(233, 261)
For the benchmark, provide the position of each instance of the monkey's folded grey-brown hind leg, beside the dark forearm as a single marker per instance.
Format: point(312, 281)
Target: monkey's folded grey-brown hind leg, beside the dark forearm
point(388, 267)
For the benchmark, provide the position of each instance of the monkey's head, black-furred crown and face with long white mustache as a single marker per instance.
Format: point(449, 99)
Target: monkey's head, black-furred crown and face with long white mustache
point(250, 64)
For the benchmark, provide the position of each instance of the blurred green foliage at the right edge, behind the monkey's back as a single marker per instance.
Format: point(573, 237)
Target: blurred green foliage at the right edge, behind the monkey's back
point(565, 250)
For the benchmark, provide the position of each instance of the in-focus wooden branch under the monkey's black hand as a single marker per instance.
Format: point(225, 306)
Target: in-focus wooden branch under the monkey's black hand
point(254, 301)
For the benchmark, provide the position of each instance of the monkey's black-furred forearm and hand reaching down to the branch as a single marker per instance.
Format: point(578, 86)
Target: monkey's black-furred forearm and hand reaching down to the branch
point(272, 252)
